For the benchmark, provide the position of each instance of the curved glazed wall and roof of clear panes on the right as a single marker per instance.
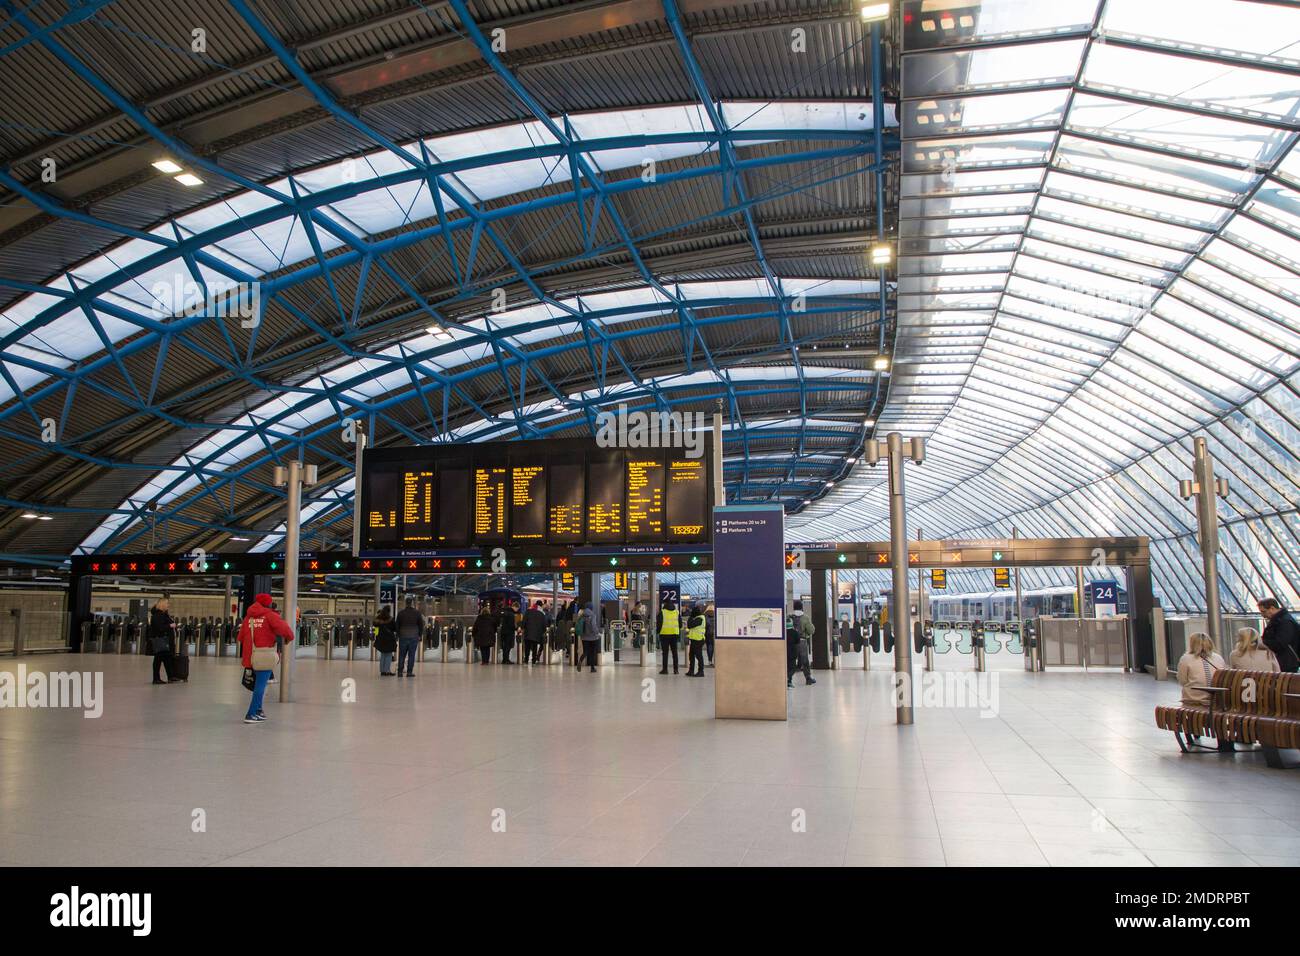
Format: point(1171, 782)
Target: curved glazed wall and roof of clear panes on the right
point(1100, 261)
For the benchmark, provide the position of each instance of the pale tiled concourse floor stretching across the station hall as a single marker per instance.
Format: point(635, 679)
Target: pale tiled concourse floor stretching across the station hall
point(517, 765)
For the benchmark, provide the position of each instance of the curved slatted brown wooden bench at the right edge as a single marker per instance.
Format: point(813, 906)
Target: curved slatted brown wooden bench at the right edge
point(1246, 708)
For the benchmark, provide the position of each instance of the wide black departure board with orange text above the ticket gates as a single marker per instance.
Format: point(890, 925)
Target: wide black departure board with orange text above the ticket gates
point(566, 492)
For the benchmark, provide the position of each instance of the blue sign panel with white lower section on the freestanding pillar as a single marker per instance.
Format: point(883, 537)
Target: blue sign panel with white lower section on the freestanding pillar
point(749, 570)
